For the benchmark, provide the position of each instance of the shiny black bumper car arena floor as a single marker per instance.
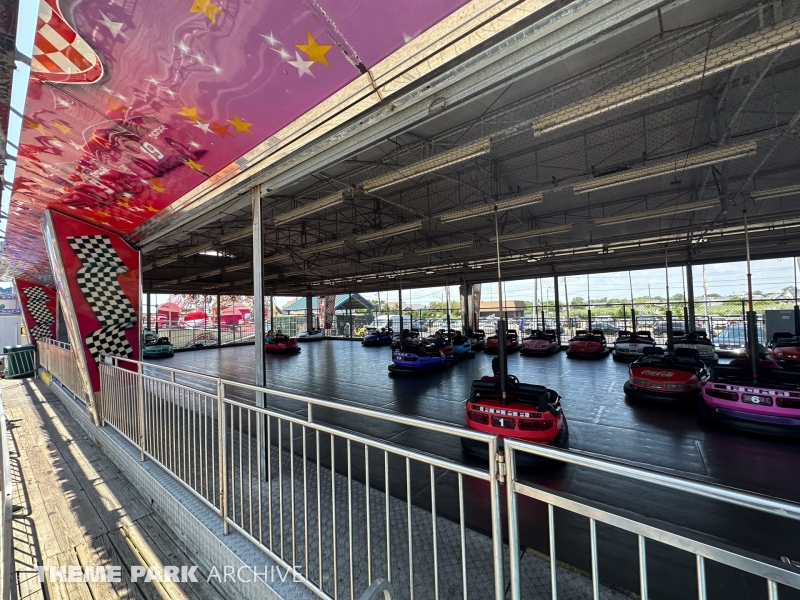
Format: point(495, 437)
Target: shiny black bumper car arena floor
point(602, 421)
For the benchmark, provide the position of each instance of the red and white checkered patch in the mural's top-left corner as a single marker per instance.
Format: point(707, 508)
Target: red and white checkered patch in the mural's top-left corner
point(59, 53)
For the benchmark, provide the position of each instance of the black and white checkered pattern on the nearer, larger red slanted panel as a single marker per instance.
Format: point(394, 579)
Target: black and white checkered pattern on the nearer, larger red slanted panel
point(98, 282)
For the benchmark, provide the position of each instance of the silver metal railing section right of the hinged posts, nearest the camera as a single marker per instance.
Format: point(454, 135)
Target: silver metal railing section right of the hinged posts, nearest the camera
point(680, 538)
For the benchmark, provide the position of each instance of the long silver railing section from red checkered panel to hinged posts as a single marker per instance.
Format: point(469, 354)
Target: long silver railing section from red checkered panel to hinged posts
point(289, 483)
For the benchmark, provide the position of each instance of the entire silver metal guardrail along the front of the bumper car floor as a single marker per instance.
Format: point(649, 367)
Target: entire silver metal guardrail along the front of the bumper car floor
point(307, 492)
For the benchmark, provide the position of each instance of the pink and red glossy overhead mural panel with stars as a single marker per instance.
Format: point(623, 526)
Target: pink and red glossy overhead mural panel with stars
point(133, 104)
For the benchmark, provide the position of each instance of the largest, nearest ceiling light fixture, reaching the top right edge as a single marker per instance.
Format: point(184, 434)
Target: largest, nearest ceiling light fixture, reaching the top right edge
point(716, 60)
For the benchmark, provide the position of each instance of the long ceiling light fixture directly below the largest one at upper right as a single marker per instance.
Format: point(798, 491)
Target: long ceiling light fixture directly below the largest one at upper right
point(667, 167)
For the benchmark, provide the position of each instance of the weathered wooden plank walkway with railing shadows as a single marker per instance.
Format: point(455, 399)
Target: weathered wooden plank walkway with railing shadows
point(73, 507)
